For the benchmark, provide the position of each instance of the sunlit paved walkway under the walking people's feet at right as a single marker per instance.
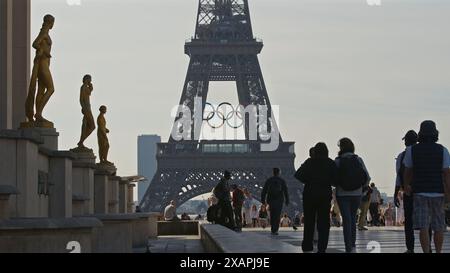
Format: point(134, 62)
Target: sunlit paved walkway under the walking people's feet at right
point(389, 240)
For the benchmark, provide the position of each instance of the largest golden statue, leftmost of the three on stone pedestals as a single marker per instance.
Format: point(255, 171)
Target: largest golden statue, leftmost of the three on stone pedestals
point(41, 76)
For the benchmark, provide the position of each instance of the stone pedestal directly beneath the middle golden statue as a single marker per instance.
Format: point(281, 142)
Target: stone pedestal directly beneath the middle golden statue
point(83, 182)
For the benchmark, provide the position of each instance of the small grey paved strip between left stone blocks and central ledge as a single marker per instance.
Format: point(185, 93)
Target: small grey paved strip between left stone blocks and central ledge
point(176, 244)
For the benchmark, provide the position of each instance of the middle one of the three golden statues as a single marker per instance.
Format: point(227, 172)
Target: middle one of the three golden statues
point(88, 119)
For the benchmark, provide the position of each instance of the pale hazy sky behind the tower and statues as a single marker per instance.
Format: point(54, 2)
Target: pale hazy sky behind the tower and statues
point(335, 67)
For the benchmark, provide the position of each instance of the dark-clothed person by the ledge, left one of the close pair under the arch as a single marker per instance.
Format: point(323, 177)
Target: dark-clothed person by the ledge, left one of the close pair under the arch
point(222, 193)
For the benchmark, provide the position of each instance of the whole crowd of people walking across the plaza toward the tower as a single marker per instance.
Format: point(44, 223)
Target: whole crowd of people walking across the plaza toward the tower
point(339, 193)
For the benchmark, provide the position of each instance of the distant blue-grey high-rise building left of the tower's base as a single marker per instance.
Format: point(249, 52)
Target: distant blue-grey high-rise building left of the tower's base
point(147, 165)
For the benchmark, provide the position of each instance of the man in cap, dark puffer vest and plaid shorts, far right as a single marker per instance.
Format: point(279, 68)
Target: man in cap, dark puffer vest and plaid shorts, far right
point(427, 177)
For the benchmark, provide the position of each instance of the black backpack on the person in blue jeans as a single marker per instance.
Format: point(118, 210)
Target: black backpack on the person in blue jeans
point(351, 175)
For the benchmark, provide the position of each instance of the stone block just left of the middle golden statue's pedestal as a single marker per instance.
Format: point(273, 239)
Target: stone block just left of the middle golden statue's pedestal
point(60, 177)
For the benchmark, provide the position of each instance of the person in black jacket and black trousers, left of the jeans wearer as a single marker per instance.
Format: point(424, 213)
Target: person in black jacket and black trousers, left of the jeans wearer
point(318, 174)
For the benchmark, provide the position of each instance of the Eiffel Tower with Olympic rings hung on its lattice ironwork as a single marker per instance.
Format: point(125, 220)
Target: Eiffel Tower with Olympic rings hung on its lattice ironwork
point(223, 49)
